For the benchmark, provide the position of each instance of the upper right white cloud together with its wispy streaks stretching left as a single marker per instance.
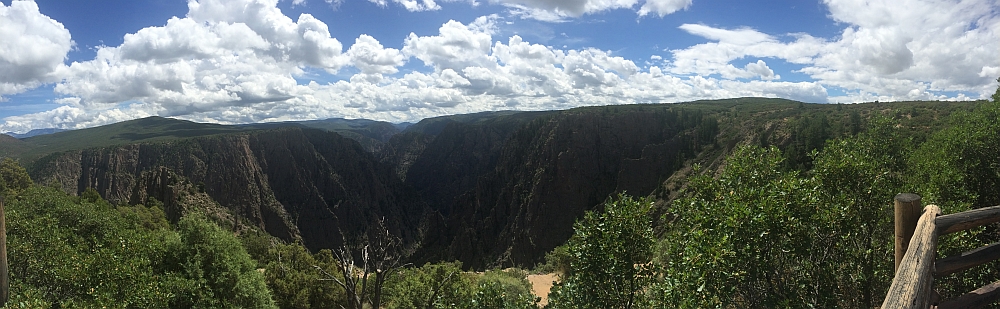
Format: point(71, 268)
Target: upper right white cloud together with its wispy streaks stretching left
point(890, 50)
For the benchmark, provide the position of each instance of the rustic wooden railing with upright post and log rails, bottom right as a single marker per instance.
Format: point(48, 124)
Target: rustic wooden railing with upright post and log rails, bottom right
point(916, 244)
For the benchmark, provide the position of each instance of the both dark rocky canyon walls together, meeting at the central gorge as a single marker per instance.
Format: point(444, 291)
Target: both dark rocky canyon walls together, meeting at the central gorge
point(487, 189)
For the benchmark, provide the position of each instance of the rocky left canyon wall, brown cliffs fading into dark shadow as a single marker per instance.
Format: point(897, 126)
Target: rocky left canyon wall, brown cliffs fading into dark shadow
point(291, 182)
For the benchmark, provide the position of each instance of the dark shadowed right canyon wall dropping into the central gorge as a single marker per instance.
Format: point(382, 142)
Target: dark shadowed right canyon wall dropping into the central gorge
point(509, 196)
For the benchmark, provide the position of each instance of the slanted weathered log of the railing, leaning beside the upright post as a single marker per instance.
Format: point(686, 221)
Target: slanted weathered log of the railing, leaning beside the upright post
point(911, 288)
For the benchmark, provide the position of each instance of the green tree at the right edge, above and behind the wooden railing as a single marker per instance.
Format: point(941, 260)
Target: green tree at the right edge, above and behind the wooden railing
point(958, 168)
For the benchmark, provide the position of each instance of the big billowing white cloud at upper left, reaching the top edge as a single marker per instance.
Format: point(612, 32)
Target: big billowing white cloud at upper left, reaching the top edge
point(221, 54)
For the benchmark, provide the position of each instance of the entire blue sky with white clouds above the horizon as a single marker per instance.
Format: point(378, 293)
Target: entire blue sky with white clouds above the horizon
point(75, 64)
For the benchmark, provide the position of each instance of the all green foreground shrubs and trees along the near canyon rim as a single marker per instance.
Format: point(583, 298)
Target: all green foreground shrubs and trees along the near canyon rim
point(809, 225)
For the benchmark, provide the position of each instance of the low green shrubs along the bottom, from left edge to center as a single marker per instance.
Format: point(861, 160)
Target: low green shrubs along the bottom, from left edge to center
point(82, 252)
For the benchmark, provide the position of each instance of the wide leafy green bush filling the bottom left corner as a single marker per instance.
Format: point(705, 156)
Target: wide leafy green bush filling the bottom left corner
point(70, 253)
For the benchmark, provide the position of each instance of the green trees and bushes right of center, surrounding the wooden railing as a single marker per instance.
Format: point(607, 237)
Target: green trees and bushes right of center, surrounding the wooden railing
point(763, 234)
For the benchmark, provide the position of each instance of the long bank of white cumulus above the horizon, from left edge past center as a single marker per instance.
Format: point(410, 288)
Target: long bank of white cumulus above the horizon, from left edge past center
point(225, 71)
